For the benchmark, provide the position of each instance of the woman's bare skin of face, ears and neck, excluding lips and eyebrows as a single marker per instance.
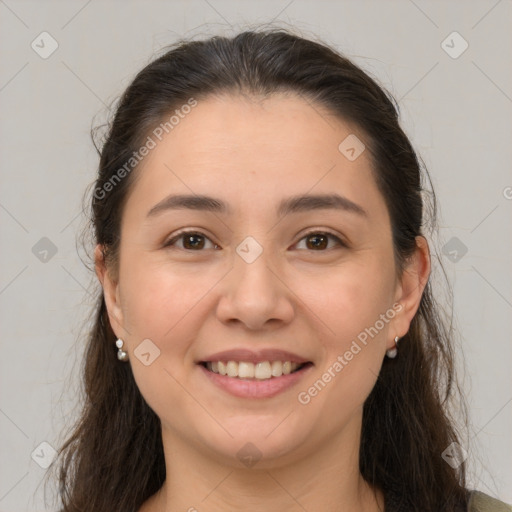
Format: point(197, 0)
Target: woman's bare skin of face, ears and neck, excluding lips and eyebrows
point(311, 301)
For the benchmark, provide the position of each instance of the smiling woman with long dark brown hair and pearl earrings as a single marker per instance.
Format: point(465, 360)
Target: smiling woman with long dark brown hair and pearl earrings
point(266, 337)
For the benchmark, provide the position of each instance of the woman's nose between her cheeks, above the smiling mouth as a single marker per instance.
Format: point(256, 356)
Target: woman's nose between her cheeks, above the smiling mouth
point(255, 295)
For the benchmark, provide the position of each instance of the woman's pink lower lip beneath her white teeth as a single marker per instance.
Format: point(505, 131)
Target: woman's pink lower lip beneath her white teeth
point(256, 388)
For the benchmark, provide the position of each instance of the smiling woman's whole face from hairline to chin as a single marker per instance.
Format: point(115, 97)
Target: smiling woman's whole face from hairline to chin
point(296, 299)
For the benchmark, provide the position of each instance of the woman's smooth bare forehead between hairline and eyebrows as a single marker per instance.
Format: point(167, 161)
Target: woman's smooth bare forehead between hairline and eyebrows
point(253, 152)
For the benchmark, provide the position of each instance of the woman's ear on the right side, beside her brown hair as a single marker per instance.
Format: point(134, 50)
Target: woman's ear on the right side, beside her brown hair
point(411, 286)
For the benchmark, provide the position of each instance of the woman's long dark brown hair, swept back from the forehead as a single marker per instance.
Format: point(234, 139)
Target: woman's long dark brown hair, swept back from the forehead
point(113, 459)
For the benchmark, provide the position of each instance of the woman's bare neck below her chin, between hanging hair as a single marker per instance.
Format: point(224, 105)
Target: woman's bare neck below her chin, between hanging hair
point(327, 480)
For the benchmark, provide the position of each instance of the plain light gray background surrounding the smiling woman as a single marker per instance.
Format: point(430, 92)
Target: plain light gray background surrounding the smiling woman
point(457, 112)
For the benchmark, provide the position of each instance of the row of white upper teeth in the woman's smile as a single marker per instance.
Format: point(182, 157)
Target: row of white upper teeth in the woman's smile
point(263, 370)
